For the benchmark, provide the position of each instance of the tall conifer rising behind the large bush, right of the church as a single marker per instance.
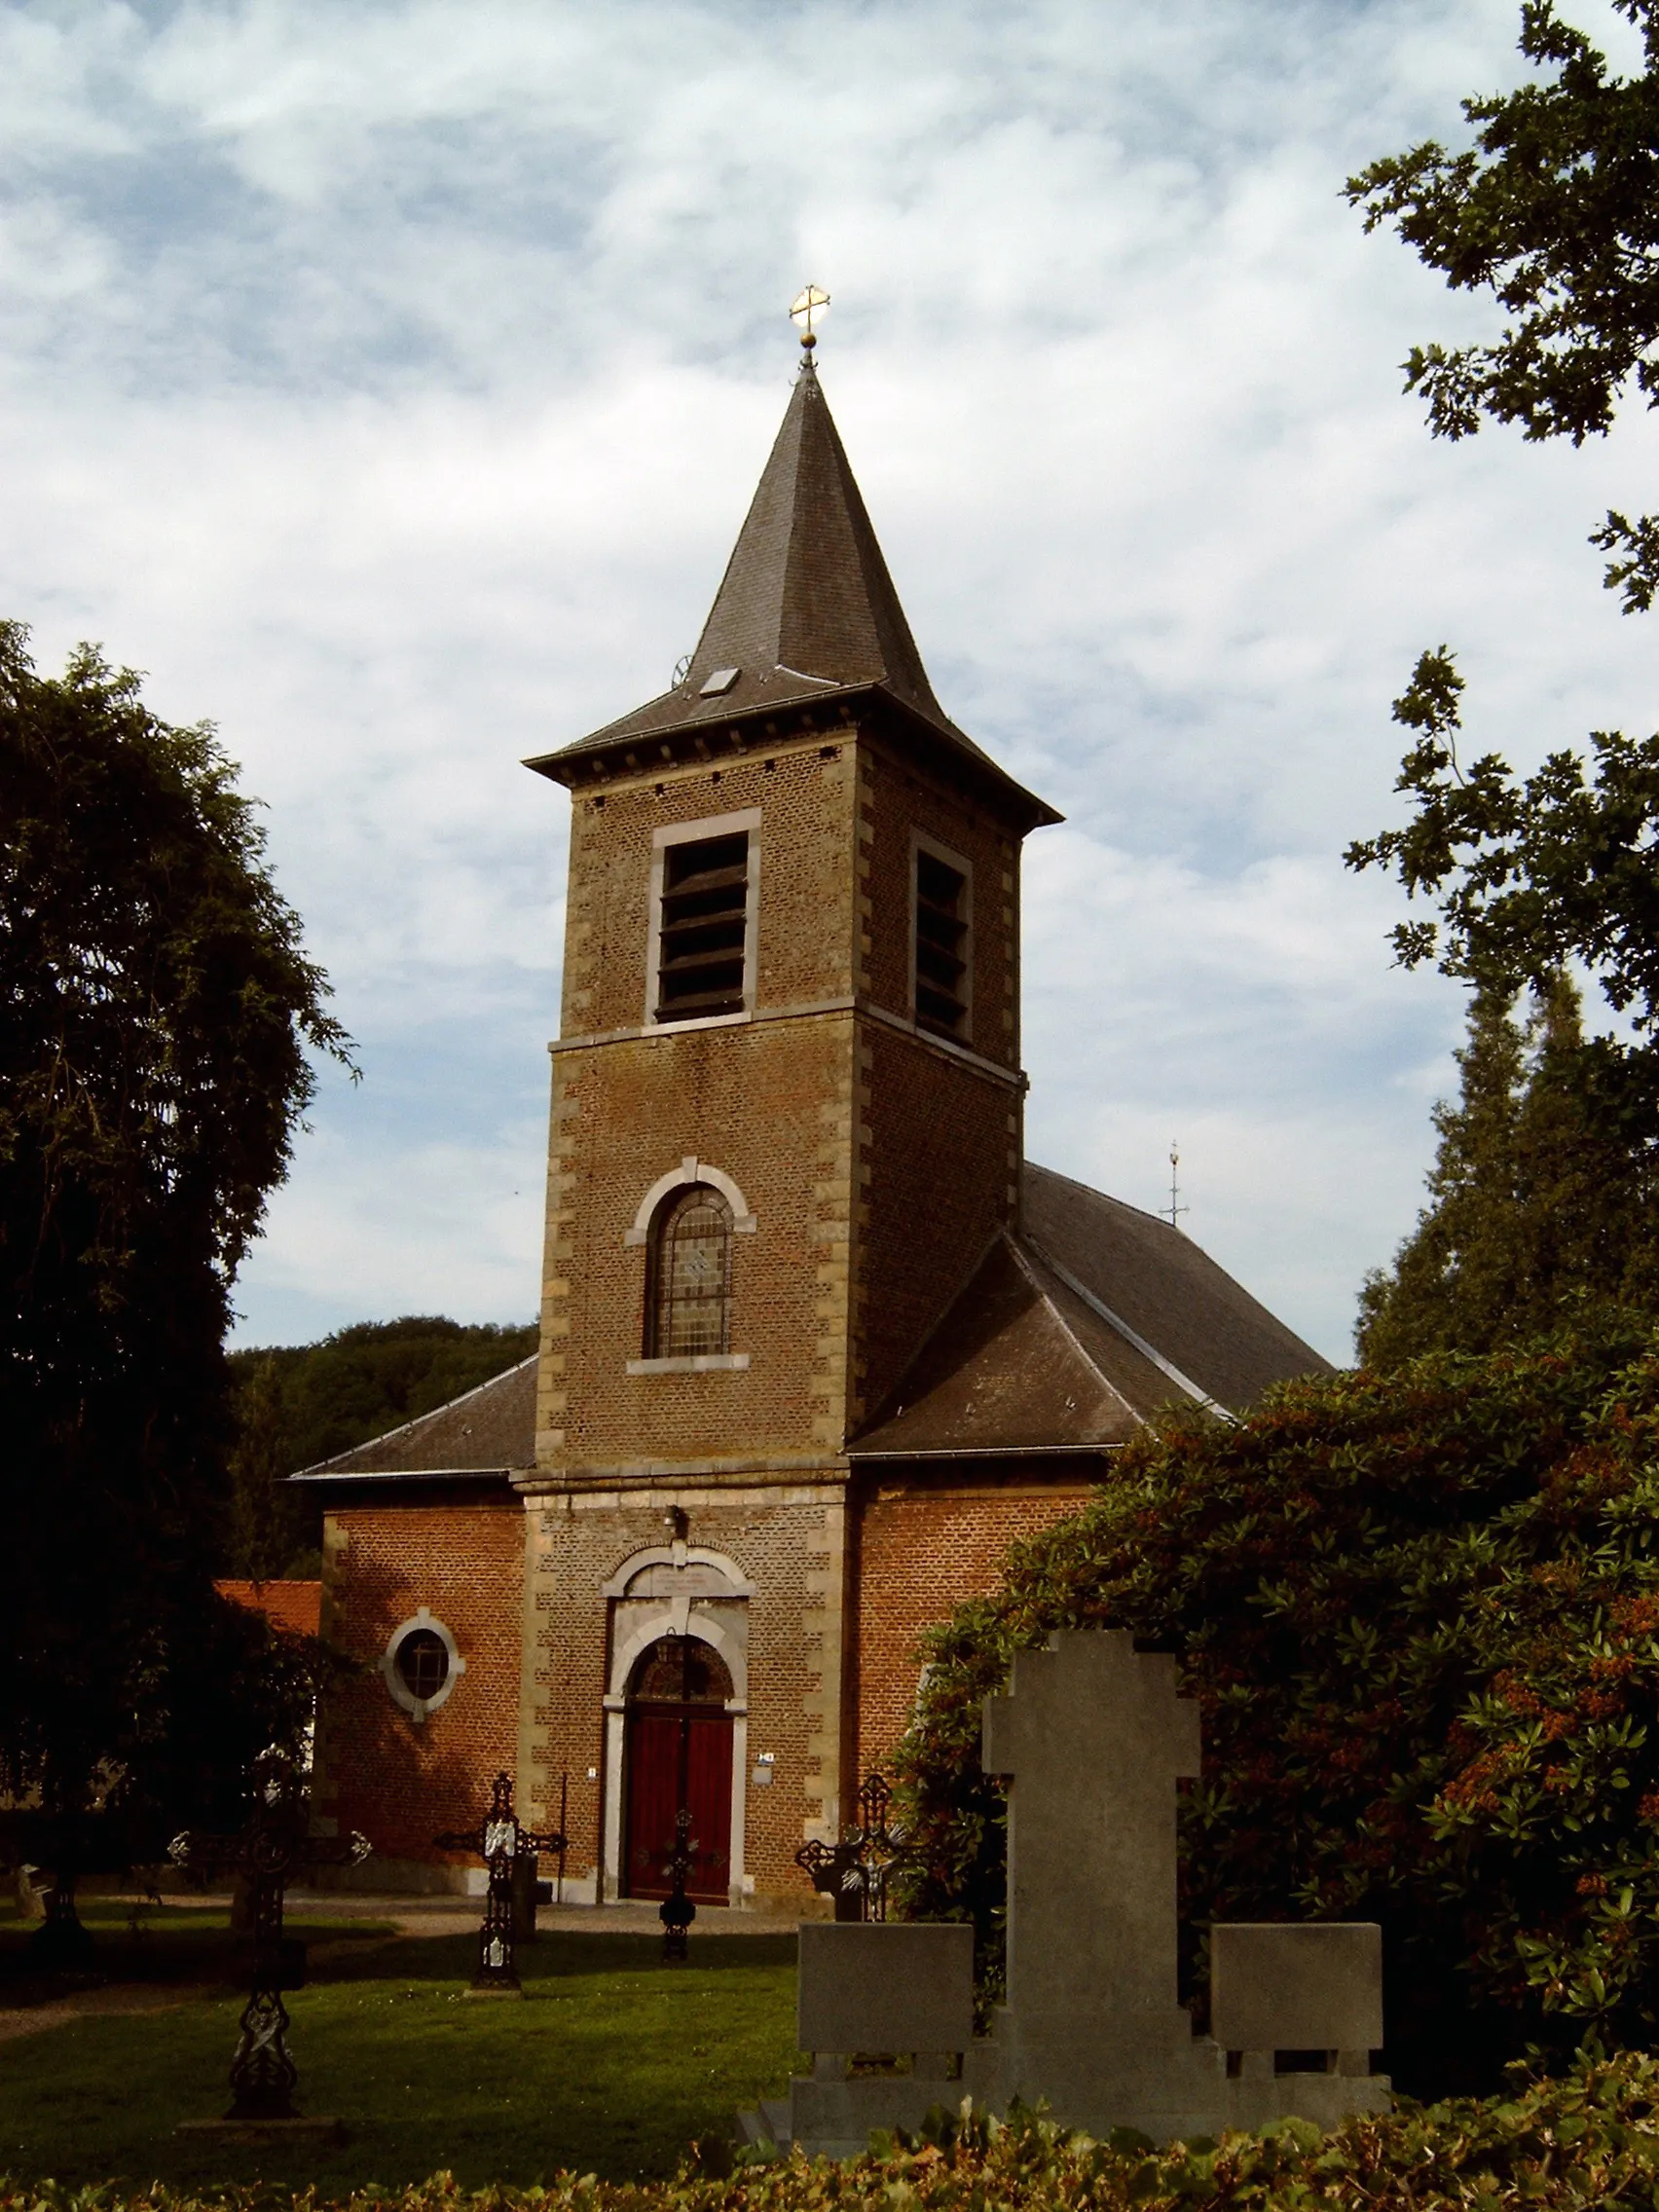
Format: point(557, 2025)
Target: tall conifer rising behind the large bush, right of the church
point(1532, 1204)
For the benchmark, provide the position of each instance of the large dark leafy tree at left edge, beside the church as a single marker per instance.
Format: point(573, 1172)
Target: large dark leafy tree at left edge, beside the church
point(154, 1065)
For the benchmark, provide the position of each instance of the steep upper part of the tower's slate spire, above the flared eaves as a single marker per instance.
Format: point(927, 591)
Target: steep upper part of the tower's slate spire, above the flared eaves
point(806, 589)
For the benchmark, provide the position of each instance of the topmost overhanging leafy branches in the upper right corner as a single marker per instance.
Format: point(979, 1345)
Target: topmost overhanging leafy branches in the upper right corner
point(1556, 213)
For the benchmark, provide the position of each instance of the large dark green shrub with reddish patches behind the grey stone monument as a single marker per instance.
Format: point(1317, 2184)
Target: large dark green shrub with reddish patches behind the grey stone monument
point(1421, 1614)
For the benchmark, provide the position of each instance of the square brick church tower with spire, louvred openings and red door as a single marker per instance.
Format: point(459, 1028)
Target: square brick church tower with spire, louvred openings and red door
point(786, 1131)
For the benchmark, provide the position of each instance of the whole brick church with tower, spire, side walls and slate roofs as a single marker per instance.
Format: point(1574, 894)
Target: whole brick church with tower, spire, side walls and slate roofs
point(817, 1339)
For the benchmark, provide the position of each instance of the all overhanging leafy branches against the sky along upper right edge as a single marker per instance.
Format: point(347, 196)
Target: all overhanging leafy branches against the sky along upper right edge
point(1554, 213)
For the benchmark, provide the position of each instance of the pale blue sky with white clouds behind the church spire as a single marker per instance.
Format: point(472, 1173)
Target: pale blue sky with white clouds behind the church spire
point(390, 382)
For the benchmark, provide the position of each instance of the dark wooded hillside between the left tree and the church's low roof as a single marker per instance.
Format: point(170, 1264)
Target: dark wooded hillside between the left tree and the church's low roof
point(302, 1404)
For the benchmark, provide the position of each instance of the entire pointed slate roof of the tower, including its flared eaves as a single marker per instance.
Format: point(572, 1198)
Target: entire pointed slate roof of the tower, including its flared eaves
point(806, 612)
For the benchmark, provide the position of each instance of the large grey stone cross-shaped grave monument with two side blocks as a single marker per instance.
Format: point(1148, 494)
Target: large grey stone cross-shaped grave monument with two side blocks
point(1094, 1740)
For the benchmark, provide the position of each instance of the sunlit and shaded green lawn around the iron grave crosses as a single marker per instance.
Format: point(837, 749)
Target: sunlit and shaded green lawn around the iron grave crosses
point(609, 2065)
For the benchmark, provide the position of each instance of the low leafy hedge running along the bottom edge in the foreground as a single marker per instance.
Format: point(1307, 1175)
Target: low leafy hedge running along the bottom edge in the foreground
point(1585, 2142)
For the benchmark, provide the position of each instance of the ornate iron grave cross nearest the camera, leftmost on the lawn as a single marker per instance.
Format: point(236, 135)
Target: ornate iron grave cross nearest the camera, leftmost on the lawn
point(271, 1850)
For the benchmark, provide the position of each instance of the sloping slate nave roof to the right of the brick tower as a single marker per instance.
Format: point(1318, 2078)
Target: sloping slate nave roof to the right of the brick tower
point(1076, 1331)
